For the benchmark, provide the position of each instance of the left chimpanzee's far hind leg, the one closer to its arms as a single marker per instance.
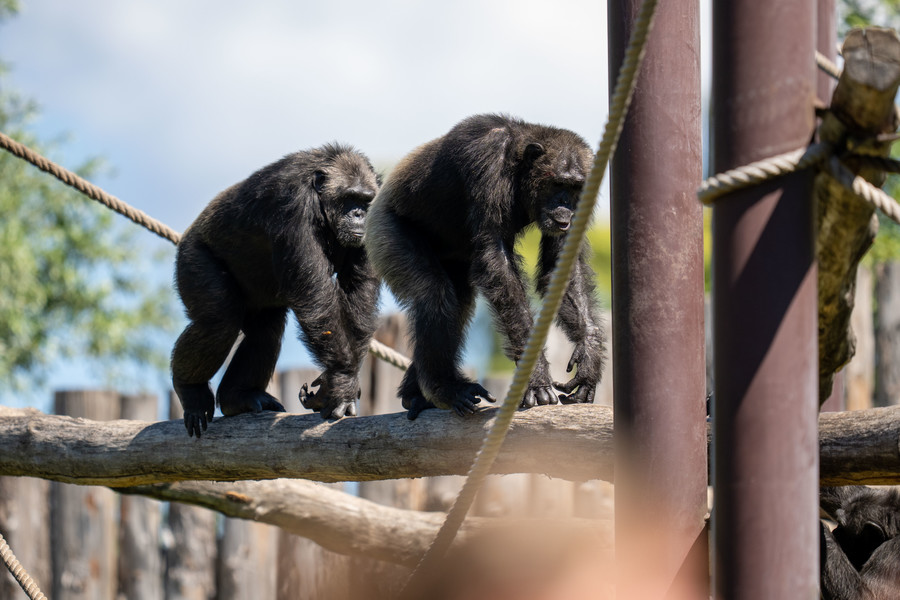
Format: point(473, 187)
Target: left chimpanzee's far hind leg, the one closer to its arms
point(243, 388)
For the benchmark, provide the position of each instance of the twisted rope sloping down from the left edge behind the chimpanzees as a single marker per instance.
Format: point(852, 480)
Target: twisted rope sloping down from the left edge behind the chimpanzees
point(141, 218)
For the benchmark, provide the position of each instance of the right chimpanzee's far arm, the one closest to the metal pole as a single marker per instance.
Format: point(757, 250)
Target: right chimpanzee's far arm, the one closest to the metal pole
point(578, 318)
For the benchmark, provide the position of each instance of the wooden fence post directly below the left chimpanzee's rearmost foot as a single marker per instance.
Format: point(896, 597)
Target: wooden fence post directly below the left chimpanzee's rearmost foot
point(191, 555)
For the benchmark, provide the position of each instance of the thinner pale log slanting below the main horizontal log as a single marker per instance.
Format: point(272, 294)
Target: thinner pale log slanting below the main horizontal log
point(336, 520)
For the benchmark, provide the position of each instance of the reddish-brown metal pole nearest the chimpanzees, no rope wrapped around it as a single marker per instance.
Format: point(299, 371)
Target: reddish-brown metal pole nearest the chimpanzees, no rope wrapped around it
point(659, 376)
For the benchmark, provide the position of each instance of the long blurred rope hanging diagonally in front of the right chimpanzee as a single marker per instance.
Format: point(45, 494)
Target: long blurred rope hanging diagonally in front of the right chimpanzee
point(558, 283)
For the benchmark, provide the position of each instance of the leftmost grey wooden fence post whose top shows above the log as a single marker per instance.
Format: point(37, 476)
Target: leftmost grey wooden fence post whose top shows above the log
point(82, 518)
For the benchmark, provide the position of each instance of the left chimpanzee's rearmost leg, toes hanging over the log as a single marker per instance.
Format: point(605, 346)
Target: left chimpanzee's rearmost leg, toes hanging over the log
point(215, 306)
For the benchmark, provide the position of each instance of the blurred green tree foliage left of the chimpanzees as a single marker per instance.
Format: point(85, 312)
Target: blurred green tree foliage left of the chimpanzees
point(74, 279)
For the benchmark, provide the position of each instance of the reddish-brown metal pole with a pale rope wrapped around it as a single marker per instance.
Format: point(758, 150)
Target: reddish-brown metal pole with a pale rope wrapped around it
point(764, 302)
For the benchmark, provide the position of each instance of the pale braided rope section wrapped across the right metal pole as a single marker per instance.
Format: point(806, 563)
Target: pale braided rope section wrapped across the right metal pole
point(761, 171)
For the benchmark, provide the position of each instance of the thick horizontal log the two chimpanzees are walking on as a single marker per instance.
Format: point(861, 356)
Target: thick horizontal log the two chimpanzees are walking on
point(568, 442)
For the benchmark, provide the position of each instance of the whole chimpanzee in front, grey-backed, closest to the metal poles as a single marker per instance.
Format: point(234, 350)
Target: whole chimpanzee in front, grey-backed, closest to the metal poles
point(444, 226)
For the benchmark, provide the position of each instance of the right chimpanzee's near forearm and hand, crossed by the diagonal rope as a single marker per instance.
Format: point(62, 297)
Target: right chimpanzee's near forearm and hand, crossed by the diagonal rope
point(496, 271)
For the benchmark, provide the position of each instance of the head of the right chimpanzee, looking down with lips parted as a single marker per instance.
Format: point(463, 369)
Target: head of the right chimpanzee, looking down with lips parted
point(554, 169)
